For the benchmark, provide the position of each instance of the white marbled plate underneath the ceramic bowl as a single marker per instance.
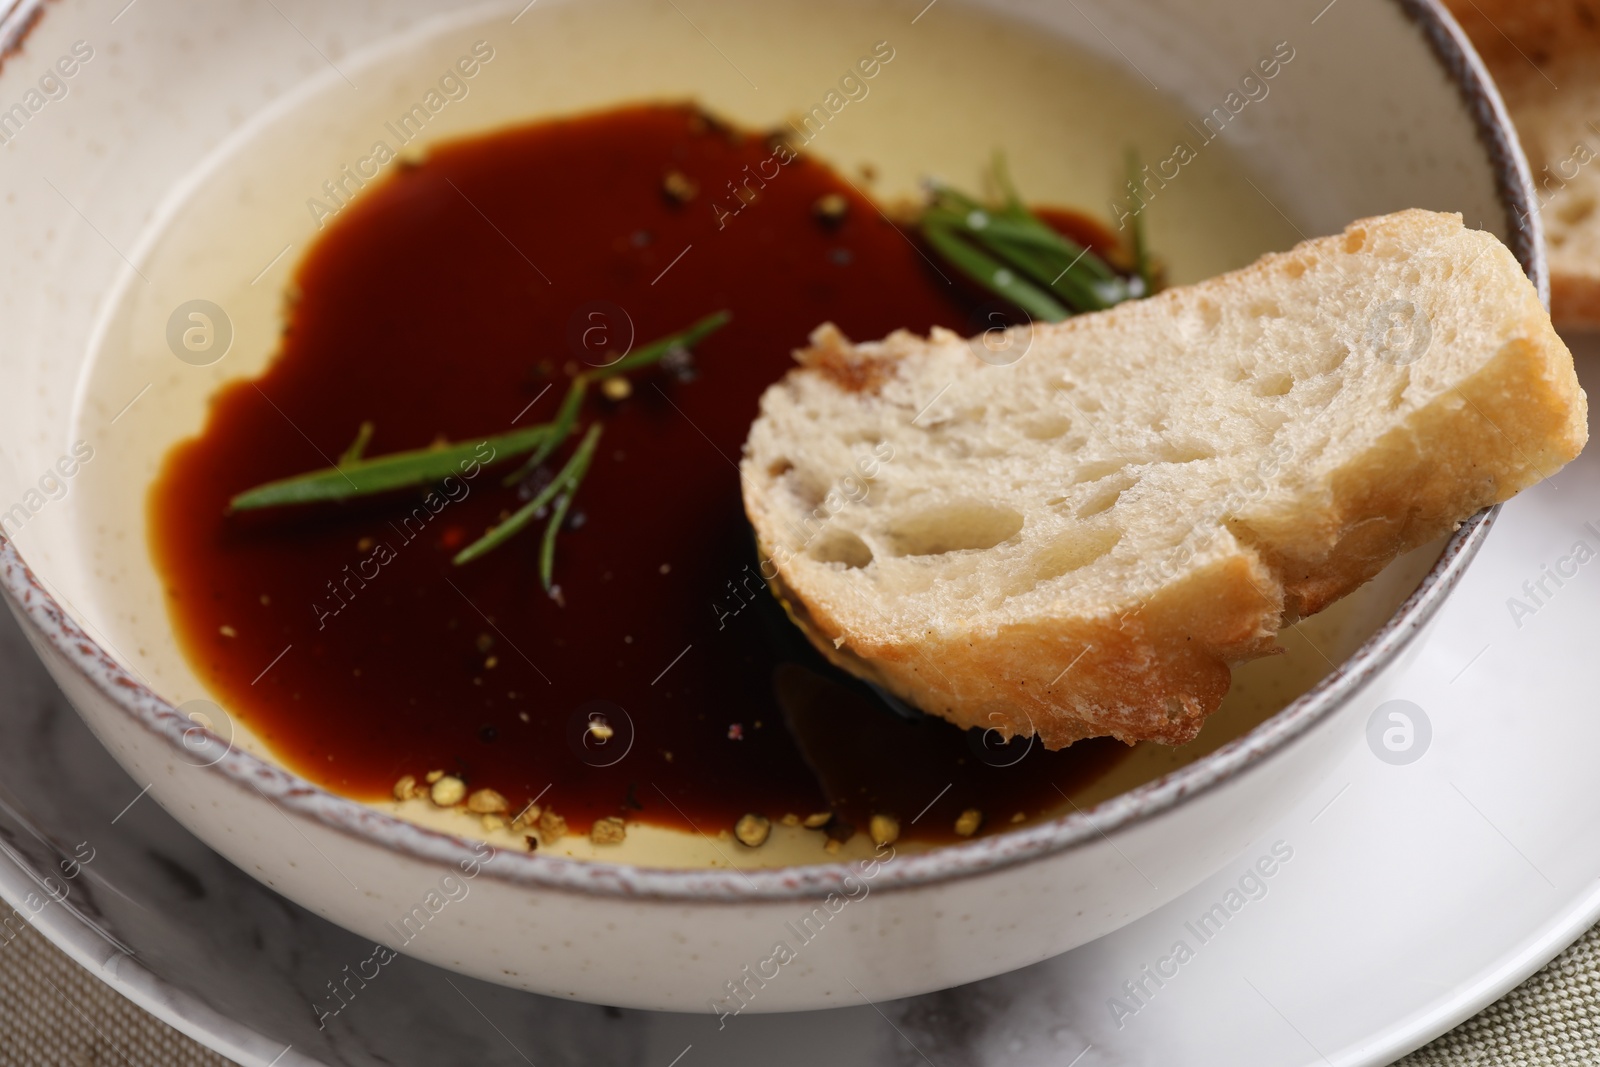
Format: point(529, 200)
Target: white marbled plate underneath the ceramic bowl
point(1415, 895)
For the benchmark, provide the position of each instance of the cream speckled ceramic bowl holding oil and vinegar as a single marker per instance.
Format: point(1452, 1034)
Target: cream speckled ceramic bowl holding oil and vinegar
point(1383, 106)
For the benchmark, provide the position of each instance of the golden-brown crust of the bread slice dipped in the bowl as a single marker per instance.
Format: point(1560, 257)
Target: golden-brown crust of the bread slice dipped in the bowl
point(1156, 663)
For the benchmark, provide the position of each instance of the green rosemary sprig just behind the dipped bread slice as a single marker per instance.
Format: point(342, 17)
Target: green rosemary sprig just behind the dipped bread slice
point(1014, 254)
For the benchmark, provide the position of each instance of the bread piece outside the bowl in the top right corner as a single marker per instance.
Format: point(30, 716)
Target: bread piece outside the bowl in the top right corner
point(1545, 57)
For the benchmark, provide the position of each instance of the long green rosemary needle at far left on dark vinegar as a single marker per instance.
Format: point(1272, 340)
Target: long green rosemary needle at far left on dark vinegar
point(396, 471)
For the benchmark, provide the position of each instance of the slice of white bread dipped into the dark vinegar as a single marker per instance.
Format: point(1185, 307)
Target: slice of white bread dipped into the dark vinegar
point(1084, 540)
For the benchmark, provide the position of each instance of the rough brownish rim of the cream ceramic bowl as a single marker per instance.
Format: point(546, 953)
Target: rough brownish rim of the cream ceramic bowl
point(54, 628)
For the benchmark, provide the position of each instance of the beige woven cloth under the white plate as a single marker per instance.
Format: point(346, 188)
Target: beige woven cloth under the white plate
point(55, 1013)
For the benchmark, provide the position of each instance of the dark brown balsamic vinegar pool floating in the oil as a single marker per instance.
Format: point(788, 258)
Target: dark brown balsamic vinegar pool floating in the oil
point(442, 303)
